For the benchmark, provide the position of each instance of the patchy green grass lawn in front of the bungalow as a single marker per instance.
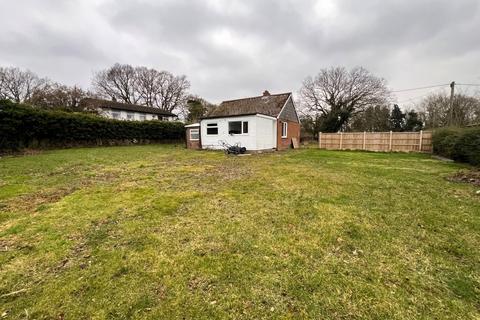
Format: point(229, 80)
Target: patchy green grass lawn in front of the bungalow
point(160, 232)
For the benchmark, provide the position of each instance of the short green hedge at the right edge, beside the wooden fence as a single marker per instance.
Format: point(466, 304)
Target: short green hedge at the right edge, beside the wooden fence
point(459, 144)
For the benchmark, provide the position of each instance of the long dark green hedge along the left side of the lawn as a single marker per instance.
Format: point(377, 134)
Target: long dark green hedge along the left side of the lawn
point(22, 126)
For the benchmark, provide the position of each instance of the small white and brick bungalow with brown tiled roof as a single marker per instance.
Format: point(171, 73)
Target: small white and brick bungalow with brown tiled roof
point(267, 122)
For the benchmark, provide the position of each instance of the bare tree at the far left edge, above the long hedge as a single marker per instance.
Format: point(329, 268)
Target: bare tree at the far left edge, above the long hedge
point(19, 85)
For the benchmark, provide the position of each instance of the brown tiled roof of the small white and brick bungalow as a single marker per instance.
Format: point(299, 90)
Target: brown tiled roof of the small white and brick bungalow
point(267, 104)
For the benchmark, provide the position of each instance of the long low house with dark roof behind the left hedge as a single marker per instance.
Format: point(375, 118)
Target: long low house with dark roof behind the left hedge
point(124, 111)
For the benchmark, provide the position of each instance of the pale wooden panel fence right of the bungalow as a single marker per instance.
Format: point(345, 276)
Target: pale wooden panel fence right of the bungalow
point(377, 141)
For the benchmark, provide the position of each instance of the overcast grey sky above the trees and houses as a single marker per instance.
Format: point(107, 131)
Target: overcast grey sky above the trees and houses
point(231, 49)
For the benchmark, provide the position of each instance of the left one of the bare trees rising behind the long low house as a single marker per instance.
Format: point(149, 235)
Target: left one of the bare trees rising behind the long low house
point(117, 82)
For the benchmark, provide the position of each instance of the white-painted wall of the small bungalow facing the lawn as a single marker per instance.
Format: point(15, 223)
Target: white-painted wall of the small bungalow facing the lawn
point(261, 135)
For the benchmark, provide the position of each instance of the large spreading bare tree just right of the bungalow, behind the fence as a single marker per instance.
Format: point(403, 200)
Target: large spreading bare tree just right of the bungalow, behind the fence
point(337, 94)
